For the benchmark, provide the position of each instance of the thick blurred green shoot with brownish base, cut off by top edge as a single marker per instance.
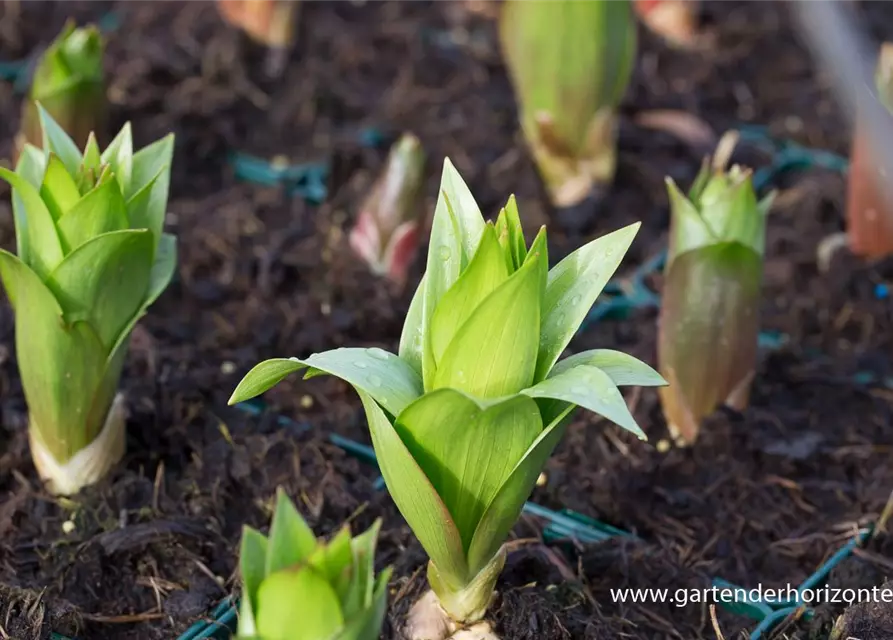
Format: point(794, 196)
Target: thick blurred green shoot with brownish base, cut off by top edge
point(570, 63)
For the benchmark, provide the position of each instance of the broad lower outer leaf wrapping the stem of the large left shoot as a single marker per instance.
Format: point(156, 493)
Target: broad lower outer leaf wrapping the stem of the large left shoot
point(61, 366)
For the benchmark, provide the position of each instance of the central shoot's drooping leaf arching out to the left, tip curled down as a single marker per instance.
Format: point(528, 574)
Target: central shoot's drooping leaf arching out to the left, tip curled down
point(384, 376)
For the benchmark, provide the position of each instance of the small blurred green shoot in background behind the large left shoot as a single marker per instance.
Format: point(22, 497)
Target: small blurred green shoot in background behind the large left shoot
point(68, 83)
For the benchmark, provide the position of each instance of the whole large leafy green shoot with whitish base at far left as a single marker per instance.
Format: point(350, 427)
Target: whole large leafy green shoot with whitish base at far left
point(91, 258)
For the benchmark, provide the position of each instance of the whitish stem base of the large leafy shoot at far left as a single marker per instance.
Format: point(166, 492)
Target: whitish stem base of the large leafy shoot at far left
point(90, 464)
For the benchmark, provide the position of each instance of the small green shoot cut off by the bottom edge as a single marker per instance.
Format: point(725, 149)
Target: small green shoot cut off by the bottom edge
point(295, 587)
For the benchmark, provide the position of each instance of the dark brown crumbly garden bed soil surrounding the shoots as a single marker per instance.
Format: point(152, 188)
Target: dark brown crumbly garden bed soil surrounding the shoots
point(764, 496)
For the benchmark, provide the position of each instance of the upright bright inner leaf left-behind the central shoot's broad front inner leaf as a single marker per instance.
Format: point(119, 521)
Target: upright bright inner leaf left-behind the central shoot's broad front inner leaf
point(486, 271)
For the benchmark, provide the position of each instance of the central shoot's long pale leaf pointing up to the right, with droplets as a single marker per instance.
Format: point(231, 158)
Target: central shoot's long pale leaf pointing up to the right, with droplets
point(574, 284)
